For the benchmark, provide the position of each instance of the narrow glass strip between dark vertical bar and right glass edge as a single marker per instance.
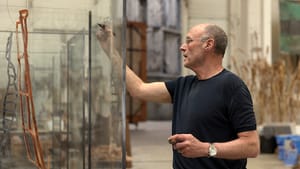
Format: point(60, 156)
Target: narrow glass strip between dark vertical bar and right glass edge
point(107, 89)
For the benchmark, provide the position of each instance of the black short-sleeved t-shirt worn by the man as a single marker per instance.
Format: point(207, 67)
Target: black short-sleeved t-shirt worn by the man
point(213, 110)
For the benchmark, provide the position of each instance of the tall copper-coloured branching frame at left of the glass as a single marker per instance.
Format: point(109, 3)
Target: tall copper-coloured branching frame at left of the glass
point(29, 125)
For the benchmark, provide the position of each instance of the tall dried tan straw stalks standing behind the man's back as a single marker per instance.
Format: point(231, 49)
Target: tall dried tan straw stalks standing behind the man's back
point(274, 88)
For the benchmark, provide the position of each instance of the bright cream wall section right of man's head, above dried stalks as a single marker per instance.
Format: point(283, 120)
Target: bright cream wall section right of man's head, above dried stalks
point(250, 28)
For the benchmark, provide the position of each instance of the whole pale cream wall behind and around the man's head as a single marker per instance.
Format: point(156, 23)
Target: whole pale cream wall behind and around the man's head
point(248, 24)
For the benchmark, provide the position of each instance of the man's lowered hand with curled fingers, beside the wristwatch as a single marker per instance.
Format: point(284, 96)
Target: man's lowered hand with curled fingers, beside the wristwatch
point(189, 146)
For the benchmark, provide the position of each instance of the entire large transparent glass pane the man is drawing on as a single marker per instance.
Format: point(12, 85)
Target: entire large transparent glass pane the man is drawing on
point(78, 109)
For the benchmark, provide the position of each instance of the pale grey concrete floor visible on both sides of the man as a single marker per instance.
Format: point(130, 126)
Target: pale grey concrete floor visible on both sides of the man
point(150, 149)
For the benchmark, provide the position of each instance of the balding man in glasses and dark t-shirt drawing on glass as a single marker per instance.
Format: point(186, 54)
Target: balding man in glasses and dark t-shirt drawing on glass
point(213, 124)
